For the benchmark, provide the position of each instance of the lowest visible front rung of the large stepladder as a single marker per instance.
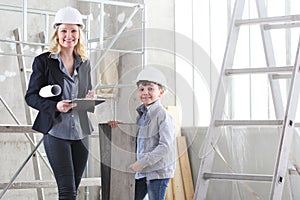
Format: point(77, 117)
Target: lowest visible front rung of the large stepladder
point(231, 176)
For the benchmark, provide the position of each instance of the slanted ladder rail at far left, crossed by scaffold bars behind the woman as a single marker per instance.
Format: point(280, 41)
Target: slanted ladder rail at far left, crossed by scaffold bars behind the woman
point(21, 61)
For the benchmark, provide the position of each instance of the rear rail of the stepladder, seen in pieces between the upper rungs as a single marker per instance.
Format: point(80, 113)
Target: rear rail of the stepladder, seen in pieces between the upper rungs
point(270, 61)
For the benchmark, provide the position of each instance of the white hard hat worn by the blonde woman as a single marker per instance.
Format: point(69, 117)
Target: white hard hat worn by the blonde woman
point(68, 15)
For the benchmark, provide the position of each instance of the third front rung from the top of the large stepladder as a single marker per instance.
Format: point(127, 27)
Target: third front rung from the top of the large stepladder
point(248, 122)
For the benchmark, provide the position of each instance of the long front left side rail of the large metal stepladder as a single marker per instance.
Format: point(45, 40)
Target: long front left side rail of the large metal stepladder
point(211, 137)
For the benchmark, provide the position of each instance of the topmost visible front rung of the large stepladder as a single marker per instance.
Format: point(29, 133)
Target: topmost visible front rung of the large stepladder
point(267, 20)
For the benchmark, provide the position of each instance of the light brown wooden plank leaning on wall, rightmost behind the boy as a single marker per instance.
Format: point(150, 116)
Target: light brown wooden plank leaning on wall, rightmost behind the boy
point(185, 168)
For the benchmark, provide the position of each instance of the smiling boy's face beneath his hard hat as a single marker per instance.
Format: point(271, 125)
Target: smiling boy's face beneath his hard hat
point(149, 93)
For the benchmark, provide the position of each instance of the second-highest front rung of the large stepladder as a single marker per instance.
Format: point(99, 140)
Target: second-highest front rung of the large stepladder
point(269, 70)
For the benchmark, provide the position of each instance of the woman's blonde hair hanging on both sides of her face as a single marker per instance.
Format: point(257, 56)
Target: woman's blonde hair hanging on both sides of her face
point(79, 49)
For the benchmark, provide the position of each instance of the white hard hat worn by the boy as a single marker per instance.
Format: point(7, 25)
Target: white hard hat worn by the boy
point(152, 74)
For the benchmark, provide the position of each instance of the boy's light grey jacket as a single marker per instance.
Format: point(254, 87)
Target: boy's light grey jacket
point(156, 144)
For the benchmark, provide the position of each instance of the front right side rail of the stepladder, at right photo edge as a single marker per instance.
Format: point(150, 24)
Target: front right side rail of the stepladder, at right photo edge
point(287, 132)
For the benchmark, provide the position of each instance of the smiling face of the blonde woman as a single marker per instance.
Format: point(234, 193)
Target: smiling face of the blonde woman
point(68, 35)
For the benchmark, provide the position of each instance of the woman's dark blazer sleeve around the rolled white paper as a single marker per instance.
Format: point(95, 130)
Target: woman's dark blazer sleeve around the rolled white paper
point(38, 79)
